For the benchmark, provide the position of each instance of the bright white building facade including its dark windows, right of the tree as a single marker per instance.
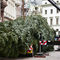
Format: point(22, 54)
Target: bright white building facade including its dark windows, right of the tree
point(51, 14)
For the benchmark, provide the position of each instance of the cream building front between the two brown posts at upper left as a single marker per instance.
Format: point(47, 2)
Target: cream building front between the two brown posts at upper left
point(10, 10)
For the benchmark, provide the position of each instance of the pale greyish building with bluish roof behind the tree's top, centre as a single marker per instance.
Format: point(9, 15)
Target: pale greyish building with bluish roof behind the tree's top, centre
point(34, 7)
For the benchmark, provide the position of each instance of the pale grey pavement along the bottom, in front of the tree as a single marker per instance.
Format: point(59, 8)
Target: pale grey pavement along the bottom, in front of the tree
point(55, 55)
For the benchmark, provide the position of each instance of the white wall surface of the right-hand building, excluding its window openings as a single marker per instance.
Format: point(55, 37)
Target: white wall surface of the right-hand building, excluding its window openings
point(54, 15)
